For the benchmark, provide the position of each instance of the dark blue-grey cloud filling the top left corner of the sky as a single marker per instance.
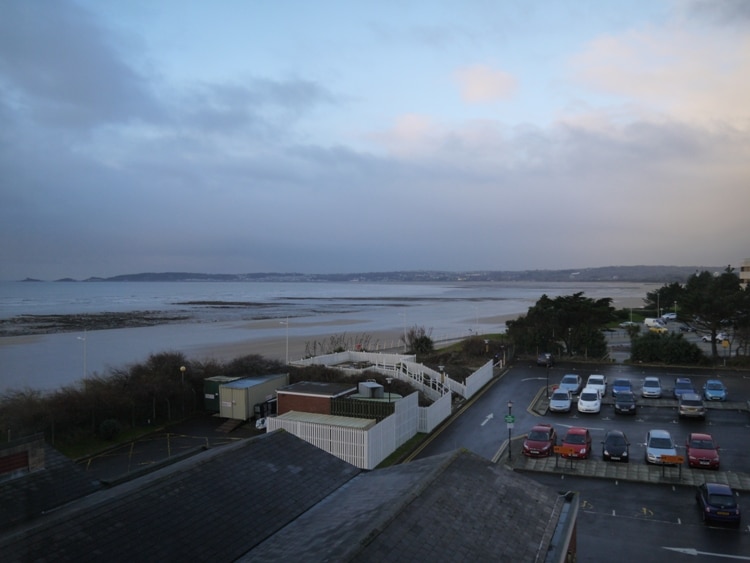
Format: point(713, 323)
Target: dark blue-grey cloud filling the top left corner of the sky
point(58, 65)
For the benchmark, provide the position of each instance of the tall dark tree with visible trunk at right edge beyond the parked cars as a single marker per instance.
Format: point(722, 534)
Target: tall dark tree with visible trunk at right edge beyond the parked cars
point(714, 303)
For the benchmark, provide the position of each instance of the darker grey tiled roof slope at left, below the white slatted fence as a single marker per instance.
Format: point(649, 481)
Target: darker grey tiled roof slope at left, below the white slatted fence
point(214, 506)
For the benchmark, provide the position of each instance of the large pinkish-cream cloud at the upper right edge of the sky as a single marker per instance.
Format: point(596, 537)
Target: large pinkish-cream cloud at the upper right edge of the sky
point(672, 73)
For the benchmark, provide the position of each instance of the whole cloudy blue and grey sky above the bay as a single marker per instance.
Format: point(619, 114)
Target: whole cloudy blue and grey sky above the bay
point(338, 137)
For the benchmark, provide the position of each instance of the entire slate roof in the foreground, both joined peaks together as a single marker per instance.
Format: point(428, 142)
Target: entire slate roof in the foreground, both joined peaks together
point(277, 498)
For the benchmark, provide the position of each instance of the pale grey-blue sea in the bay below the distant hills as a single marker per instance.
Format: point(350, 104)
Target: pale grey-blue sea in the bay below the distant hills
point(218, 314)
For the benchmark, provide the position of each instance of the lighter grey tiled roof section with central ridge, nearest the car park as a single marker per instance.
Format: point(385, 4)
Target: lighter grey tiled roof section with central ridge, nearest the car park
point(452, 507)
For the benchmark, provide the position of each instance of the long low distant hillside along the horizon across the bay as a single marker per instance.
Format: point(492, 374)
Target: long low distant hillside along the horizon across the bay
point(642, 274)
